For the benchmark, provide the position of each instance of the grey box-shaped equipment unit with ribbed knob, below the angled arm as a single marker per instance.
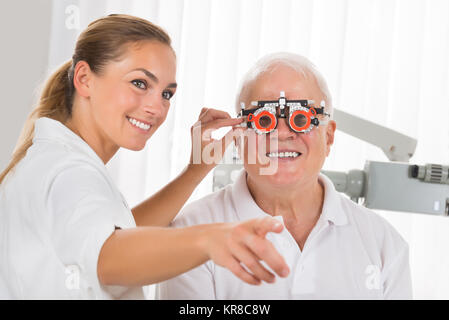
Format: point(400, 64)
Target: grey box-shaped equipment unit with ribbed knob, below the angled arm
point(393, 186)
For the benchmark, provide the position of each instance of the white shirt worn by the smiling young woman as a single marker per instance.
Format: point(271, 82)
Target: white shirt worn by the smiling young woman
point(57, 208)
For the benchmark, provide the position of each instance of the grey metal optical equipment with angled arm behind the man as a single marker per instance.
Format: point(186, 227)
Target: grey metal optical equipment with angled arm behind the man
point(394, 186)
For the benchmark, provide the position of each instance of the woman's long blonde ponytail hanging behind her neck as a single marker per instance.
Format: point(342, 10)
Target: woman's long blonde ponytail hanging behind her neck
point(55, 102)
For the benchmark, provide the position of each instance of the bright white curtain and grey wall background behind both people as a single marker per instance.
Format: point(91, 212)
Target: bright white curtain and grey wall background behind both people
point(384, 60)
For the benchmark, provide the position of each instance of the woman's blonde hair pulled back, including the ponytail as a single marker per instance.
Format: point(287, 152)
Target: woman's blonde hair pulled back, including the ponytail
point(102, 41)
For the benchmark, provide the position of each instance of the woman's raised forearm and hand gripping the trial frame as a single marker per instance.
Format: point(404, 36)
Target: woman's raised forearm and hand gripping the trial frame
point(161, 208)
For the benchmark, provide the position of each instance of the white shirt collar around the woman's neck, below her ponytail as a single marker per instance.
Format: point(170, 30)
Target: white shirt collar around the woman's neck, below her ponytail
point(53, 130)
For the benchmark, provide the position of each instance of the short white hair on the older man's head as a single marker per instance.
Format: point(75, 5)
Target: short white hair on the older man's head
point(297, 62)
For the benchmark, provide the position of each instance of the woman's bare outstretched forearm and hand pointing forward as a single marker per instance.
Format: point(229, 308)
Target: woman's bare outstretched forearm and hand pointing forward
point(146, 255)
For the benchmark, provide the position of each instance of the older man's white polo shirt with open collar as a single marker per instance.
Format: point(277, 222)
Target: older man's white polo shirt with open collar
point(351, 253)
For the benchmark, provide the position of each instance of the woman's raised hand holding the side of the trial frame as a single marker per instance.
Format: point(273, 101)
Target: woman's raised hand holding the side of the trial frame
point(206, 151)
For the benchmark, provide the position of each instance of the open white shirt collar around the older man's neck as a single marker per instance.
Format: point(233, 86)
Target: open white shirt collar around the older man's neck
point(247, 208)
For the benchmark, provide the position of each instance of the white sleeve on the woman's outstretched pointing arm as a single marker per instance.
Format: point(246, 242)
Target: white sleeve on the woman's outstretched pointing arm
point(84, 213)
